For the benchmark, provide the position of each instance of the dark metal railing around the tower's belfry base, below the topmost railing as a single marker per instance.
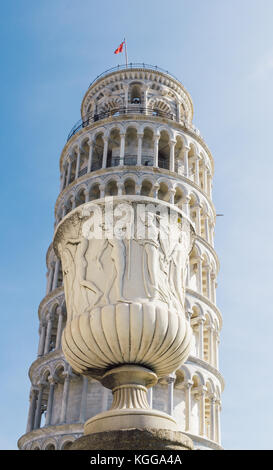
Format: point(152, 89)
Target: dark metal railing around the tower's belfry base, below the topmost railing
point(90, 118)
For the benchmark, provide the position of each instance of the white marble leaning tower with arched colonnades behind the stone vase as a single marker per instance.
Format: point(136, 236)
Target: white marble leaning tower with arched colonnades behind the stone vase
point(135, 137)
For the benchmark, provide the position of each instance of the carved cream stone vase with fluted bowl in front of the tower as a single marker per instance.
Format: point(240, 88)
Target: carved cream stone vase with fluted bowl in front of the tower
point(124, 262)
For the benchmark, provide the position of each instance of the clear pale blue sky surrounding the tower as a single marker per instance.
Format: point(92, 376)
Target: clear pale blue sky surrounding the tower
point(222, 51)
